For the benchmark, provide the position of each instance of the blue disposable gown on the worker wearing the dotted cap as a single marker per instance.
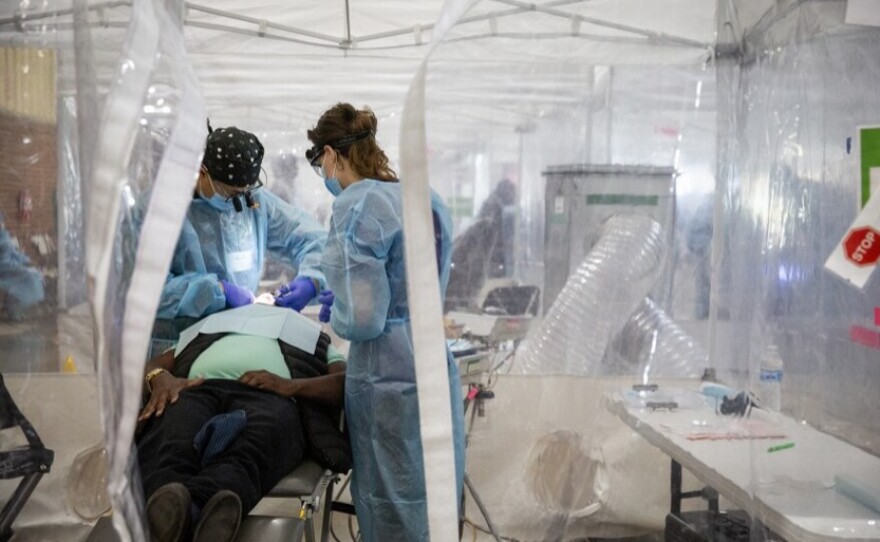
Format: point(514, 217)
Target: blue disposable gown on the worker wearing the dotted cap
point(217, 242)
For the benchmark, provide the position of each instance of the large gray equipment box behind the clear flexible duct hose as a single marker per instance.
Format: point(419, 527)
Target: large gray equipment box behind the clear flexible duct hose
point(579, 198)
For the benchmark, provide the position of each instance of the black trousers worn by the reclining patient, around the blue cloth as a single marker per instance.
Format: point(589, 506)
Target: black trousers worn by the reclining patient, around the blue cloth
point(269, 447)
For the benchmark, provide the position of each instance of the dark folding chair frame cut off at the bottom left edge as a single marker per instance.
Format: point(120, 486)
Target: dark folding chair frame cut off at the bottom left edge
point(30, 462)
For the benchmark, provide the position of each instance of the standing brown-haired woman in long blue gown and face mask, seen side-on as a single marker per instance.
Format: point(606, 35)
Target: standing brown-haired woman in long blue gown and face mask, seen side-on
point(364, 265)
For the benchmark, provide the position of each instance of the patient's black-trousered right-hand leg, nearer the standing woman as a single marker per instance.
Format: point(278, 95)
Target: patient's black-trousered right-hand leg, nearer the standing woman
point(269, 447)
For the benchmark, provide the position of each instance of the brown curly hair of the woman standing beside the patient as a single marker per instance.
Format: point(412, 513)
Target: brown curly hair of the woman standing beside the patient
point(365, 156)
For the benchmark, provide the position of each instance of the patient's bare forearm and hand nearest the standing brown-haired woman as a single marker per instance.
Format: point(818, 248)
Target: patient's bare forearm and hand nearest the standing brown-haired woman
point(328, 389)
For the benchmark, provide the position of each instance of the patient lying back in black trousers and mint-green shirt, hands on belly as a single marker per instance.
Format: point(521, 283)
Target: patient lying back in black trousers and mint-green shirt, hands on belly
point(227, 417)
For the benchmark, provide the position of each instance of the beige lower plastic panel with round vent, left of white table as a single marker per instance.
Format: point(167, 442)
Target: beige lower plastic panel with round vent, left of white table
point(563, 470)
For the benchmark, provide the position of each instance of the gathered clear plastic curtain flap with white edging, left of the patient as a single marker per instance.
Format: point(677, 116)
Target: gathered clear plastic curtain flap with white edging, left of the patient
point(128, 264)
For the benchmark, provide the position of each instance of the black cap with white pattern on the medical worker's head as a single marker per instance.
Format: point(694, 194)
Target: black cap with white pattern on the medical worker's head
point(233, 156)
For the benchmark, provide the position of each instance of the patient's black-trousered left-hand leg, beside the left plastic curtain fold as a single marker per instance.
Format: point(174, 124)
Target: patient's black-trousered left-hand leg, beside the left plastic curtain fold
point(165, 451)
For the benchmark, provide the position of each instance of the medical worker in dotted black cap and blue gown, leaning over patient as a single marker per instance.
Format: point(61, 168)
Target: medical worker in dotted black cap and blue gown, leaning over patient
point(229, 226)
